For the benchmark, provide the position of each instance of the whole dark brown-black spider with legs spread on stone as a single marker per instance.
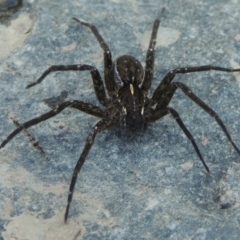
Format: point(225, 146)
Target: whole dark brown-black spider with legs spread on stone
point(127, 102)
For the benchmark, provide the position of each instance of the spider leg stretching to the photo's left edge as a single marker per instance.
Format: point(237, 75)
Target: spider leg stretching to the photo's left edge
point(82, 106)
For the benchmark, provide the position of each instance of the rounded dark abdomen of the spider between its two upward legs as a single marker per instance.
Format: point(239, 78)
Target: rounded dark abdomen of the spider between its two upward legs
point(127, 70)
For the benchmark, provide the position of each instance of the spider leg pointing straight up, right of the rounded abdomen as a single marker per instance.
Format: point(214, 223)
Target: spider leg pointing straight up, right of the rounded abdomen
point(150, 56)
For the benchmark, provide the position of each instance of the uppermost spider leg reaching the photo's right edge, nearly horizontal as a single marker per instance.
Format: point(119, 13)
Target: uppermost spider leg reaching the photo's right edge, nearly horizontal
point(171, 74)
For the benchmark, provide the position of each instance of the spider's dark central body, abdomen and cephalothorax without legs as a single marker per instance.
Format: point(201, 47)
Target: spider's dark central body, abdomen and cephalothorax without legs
point(128, 75)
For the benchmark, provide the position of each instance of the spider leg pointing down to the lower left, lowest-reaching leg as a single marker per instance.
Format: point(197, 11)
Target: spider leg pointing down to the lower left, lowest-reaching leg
point(101, 125)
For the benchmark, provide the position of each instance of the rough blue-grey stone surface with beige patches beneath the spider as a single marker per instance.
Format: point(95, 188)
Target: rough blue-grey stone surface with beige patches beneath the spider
point(151, 186)
